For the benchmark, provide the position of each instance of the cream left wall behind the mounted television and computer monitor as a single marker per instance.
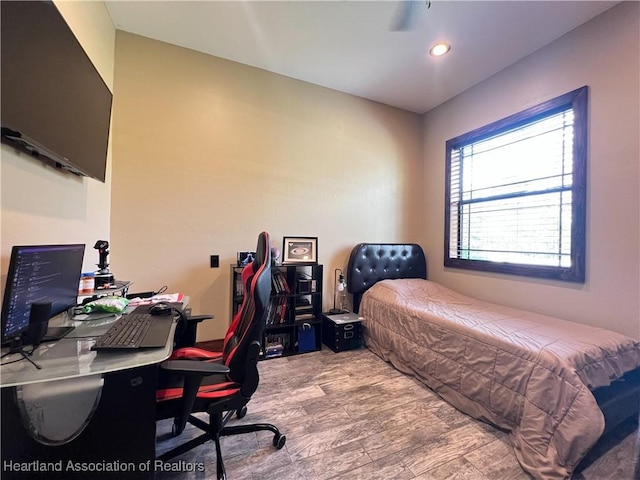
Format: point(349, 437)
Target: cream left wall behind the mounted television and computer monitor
point(40, 204)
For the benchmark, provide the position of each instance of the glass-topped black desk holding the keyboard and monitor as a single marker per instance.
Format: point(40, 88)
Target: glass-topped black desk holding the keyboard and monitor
point(84, 414)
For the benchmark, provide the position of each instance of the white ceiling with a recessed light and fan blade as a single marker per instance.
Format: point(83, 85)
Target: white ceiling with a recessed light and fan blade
point(349, 46)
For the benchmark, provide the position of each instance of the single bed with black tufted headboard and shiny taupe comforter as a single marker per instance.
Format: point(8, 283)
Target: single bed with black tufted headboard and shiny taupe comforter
point(555, 386)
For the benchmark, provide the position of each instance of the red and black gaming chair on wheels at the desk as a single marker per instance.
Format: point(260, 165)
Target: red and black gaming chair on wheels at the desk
point(221, 383)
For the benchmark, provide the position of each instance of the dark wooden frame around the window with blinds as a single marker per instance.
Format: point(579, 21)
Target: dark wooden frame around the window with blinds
point(577, 100)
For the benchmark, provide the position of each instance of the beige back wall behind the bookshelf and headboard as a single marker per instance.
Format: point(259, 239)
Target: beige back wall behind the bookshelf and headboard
point(208, 152)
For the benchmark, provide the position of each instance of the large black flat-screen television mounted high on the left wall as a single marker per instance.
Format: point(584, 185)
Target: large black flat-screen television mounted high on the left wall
point(54, 104)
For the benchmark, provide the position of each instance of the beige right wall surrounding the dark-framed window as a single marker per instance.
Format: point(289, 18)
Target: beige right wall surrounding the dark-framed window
point(605, 55)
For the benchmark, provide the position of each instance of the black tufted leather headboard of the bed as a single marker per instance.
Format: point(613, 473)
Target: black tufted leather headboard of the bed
point(371, 262)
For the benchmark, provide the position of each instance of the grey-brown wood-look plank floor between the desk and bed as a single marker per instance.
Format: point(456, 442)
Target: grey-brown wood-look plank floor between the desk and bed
point(352, 416)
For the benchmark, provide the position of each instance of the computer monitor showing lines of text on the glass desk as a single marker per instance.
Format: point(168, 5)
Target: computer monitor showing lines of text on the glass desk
point(39, 273)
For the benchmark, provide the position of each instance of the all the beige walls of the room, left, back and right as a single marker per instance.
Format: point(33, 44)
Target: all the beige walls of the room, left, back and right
point(208, 152)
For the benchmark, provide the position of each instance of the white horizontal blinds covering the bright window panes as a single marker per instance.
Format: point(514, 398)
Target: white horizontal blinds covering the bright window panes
point(511, 194)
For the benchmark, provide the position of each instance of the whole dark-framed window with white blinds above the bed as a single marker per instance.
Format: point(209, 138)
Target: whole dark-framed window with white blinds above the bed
point(516, 193)
